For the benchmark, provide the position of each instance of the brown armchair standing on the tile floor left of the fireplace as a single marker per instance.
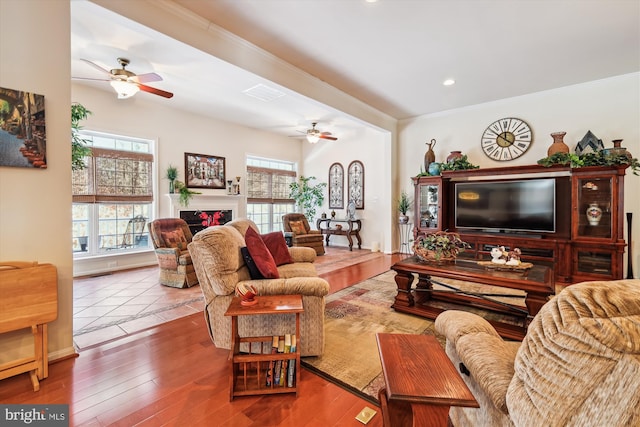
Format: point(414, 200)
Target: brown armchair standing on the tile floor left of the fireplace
point(170, 237)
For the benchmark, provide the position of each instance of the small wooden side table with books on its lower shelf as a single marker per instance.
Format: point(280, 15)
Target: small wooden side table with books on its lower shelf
point(249, 371)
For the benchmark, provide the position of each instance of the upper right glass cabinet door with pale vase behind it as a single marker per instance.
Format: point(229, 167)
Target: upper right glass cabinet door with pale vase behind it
point(593, 216)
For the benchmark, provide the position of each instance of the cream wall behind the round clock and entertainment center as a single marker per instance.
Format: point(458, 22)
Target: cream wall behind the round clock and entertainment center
point(610, 108)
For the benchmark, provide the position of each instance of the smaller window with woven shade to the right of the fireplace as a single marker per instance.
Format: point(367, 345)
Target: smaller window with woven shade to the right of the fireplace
point(268, 192)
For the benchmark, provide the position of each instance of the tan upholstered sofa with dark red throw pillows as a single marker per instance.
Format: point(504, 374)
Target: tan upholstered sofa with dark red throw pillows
point(219, 263)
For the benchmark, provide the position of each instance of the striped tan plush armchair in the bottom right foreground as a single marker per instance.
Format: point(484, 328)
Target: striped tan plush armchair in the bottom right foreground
point(578, 365)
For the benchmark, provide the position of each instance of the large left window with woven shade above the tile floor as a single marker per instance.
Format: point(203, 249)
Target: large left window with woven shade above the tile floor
point(113, 195)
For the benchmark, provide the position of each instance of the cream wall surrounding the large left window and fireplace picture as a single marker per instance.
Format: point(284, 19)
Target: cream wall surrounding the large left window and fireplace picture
point(176, 133)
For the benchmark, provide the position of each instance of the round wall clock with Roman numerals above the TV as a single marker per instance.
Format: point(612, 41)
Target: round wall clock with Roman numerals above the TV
point(506, 139)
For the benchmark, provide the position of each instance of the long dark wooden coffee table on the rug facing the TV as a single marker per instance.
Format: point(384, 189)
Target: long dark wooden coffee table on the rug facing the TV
point(536, 282)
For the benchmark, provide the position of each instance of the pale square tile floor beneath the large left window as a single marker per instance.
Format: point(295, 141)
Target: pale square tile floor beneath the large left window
point(115, 305)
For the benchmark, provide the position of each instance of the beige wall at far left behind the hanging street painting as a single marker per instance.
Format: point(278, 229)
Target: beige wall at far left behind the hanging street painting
point(35, 222)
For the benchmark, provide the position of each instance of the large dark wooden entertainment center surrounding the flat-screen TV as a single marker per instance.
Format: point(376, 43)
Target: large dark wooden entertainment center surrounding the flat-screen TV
point(579, 248)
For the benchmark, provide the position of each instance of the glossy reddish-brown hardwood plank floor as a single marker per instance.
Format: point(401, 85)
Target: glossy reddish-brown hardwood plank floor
point(173, 375)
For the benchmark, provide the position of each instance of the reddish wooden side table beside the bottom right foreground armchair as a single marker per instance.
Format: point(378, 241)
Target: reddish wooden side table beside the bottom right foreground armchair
point(421, 382)
